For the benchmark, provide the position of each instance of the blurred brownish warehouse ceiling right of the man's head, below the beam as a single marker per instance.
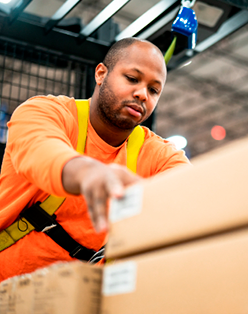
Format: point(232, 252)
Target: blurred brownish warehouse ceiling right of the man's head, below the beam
point(211, 90)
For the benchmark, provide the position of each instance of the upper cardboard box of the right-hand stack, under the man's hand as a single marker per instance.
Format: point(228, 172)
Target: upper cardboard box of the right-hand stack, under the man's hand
point(182, 204)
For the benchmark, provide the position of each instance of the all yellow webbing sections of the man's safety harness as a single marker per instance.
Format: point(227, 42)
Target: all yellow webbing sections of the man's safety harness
point(21, 227)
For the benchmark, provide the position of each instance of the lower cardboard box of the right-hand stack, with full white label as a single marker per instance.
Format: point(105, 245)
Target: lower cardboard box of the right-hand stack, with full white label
point(208, 276)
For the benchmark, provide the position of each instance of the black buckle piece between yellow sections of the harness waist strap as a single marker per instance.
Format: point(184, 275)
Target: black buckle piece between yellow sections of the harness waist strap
point(39, 218)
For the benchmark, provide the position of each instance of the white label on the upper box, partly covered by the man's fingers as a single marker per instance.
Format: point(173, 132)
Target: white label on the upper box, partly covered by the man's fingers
point(128, 206)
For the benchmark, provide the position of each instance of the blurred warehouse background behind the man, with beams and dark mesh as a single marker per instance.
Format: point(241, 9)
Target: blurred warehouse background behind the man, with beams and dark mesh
point(52, 46)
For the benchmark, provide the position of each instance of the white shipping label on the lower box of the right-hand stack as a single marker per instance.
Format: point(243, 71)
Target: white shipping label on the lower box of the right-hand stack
point(119, 279)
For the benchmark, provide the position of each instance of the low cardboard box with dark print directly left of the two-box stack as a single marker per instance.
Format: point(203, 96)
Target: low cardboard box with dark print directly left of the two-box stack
point(73, 288)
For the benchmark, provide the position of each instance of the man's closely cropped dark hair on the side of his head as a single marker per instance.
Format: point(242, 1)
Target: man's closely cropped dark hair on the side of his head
point(115, 51)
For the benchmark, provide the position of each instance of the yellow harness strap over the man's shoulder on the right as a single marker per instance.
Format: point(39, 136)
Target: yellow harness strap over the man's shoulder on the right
point(135, 141)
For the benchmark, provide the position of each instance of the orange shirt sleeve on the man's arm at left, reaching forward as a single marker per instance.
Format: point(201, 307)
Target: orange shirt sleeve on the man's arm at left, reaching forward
point(42, 138)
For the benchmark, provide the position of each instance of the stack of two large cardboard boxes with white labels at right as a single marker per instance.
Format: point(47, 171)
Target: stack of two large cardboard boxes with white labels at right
point(180, 241)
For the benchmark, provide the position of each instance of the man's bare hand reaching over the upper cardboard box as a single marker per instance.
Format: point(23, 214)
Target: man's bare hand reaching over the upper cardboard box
point(97, 182)
